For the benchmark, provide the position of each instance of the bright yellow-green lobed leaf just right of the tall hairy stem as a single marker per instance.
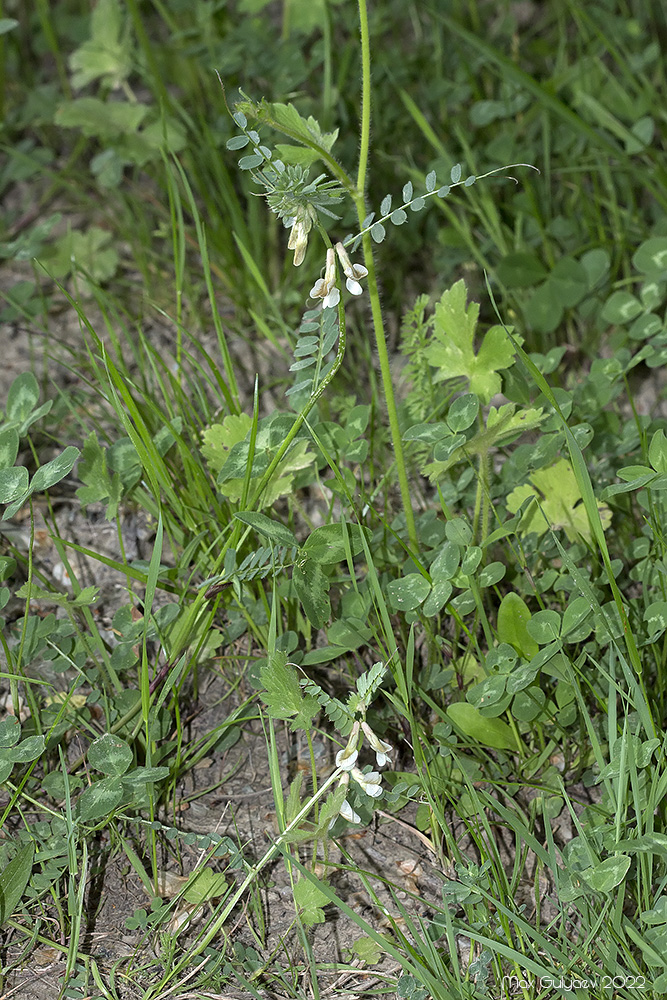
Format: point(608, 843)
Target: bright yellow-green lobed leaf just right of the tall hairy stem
point(451, 349)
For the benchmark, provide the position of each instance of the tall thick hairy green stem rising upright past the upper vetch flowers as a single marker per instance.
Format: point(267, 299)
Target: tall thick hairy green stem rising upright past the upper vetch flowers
point(376, 308)
